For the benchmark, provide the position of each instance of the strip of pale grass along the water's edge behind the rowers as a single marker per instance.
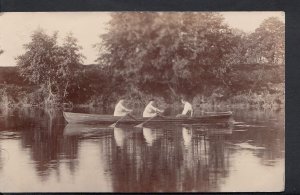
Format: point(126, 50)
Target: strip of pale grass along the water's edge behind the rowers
point(12, 97)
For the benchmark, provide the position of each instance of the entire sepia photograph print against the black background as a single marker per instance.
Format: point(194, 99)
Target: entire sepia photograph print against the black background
point(142, 101)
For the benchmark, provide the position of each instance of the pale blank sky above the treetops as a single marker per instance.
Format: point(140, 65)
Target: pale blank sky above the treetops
point(16, 28)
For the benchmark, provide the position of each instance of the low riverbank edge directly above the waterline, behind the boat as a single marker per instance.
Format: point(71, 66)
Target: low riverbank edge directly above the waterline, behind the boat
point(250, 100)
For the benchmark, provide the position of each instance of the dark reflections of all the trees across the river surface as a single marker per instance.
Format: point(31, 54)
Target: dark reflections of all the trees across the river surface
point(194, 159)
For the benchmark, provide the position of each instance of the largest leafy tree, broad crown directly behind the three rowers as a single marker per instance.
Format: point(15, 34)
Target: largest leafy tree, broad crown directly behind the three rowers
point(181, 53)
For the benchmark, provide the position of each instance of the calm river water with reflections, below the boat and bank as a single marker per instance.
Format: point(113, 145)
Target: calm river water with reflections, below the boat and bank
point(40, 152)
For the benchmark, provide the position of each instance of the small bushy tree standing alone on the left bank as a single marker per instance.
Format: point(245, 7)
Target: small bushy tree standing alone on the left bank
point(49, 65)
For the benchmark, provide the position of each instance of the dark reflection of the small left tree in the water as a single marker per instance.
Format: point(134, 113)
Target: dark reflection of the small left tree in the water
point(42, 133)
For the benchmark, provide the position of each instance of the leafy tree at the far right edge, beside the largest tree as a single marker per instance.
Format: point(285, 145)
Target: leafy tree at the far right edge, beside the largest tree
point(255, 56)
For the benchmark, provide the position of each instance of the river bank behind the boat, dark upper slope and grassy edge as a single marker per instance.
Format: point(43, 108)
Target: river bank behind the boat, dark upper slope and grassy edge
point(90, 92)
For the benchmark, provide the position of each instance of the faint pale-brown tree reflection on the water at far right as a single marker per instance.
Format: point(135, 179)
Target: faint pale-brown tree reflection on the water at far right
point(267, 131)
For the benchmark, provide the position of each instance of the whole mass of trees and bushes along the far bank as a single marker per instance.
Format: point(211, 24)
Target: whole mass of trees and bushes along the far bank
point(154, 55)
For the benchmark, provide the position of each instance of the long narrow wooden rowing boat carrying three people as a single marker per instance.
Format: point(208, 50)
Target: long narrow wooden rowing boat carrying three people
point(216, 117)
